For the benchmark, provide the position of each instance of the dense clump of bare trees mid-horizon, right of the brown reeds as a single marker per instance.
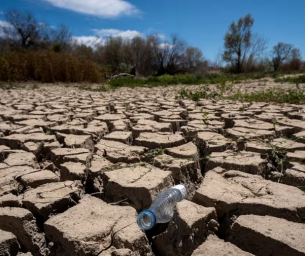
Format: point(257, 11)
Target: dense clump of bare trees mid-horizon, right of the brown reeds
point(141, 56)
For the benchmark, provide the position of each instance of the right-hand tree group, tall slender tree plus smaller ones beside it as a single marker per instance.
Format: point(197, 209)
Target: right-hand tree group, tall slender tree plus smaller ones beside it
point(246, 52)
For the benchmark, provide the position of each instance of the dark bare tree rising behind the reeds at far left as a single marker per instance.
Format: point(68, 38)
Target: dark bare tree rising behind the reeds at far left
point(24, 29)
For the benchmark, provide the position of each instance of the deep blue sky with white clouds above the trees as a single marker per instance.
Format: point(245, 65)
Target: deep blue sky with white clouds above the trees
point(202, 23)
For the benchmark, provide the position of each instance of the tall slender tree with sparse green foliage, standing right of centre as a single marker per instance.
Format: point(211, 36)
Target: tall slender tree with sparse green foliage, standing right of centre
point(238, 41)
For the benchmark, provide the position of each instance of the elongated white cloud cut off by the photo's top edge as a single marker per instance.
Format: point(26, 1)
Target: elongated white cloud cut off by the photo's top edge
point(101, 8)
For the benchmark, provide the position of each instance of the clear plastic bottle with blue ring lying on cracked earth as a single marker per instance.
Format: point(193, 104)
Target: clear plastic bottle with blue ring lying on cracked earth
point(162, 209)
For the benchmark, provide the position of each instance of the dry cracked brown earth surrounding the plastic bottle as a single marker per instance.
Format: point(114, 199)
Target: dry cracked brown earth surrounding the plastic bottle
point(76, 167)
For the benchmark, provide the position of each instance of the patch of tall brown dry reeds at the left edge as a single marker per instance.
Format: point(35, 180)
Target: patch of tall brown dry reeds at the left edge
point(48, 67)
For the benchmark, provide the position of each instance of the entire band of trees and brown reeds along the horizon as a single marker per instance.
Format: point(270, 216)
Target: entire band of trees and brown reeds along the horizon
point(32, 50)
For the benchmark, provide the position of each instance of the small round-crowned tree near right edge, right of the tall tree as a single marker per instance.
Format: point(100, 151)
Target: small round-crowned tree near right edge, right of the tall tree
point(280, 53)
